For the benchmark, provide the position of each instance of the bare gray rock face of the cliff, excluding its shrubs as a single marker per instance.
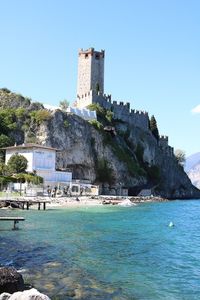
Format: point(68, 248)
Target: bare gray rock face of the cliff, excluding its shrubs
point(82, 145)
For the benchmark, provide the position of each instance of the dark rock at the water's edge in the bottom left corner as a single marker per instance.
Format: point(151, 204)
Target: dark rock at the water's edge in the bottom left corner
point(10, 280)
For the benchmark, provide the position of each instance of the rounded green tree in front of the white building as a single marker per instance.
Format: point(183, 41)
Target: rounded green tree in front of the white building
point(17, 164)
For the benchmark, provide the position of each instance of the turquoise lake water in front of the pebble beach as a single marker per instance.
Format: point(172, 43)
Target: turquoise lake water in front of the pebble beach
point(108, 252)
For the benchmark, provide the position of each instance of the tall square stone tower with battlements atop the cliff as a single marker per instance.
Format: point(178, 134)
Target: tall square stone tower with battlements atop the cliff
point(90, 75)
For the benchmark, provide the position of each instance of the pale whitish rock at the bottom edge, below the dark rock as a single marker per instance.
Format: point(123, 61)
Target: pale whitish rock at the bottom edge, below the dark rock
point(31, 294)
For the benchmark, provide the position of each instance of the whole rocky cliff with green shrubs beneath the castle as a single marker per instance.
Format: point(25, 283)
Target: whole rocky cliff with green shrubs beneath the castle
point(111, 152)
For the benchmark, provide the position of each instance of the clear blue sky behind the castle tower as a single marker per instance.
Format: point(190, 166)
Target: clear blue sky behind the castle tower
point(152, 55)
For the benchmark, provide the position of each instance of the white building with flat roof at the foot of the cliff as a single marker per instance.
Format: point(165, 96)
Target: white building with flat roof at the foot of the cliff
point(41, 159)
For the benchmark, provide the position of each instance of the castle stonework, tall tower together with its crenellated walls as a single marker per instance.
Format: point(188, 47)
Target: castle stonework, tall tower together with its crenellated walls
point(91, 90)
